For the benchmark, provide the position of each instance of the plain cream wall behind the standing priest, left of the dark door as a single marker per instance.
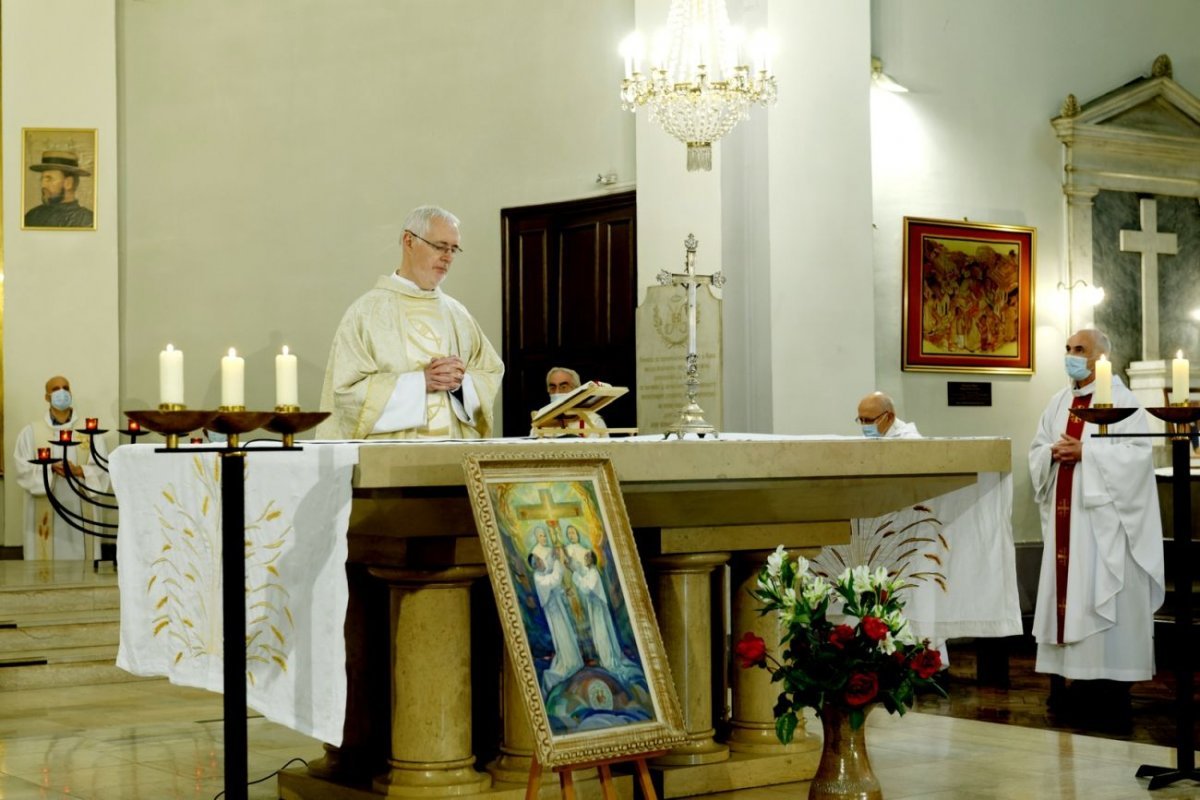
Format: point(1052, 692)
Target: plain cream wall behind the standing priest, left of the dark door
point(272, 151)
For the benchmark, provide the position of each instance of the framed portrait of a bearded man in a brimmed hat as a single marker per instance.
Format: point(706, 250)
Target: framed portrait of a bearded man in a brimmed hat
point(61, 179)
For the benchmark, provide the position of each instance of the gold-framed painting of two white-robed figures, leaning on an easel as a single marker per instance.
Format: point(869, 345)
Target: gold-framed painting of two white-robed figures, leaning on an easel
point(577, 615)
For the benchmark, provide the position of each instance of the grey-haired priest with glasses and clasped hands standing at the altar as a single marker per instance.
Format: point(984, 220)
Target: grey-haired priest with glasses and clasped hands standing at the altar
point(410, 362)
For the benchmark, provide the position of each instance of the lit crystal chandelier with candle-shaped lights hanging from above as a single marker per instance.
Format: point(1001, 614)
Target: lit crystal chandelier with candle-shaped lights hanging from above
point(697, 86)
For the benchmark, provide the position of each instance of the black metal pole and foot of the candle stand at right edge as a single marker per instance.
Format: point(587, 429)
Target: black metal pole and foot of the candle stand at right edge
point(1185, 724)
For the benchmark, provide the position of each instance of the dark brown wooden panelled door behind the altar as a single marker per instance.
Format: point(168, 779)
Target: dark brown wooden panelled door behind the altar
point(571, 290)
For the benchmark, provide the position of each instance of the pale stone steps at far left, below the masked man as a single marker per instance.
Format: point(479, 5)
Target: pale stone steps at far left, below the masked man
point(59, 625)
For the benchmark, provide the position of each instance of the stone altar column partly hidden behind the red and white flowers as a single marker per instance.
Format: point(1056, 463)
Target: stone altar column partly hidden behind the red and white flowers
point(753, 723)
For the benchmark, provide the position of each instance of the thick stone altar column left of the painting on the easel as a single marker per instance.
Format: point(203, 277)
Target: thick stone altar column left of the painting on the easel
point(431, 708)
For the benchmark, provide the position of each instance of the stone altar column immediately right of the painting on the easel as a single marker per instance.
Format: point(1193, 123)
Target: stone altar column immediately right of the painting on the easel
point(685, 611)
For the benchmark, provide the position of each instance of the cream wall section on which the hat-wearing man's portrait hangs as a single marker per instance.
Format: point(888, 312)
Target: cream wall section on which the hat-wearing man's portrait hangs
point(61, 287)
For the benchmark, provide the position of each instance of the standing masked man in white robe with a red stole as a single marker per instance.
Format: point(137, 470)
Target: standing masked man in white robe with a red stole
point(1102, 562)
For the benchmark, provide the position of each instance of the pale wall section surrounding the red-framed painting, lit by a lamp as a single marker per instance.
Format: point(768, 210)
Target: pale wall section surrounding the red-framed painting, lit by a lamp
point(974, 140)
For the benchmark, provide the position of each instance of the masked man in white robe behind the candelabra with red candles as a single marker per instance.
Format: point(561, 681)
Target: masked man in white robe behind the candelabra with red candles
point(47, 536)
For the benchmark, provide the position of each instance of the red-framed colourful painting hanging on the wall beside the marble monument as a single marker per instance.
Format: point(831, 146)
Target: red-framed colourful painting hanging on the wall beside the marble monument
point(968, 297)
